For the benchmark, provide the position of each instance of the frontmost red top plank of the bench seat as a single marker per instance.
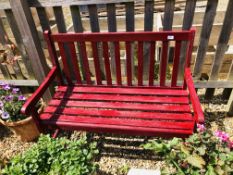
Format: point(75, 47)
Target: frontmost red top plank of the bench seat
point(187, 125)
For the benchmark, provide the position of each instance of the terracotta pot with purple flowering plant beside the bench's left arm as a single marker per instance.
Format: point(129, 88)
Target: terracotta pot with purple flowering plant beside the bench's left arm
point(11, 102)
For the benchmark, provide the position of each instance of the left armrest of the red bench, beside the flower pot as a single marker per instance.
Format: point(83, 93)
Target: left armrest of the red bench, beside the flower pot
point(28, 107)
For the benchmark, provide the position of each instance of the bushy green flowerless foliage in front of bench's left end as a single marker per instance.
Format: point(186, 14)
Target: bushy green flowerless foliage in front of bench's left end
point(55, 157)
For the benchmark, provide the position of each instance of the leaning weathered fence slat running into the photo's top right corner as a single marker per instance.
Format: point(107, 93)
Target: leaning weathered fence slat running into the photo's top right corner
point(221, 47)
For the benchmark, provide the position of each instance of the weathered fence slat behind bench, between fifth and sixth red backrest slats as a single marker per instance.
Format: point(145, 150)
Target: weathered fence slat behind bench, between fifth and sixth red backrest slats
point(112, 27)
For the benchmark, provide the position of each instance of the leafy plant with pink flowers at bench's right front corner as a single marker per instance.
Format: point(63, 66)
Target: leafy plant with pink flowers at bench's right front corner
point(203, 153)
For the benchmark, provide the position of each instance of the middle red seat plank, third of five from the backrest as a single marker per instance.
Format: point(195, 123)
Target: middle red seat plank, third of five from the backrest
point(122, 106)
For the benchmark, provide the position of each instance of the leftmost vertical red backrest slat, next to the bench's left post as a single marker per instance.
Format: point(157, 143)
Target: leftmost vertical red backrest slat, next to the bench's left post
point(67, 71)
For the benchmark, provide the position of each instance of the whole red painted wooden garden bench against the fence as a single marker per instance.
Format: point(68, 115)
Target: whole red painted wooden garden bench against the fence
point(101, 102)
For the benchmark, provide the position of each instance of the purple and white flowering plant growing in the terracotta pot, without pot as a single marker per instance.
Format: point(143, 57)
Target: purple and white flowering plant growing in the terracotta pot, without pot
point(11, 102)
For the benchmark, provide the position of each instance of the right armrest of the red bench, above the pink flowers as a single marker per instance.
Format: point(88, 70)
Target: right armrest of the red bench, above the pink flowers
point(198, 113)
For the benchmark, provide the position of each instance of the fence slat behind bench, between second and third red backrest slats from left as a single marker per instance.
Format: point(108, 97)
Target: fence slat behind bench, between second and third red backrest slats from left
point(78, 27)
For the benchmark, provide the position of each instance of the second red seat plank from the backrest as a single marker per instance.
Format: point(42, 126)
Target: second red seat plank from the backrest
point(122, 98)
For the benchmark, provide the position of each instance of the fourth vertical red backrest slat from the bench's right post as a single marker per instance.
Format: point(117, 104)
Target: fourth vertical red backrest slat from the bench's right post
point(140, 63)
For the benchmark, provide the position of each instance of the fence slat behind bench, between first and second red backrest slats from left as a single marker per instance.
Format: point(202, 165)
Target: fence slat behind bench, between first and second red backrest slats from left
point(60, 21)
